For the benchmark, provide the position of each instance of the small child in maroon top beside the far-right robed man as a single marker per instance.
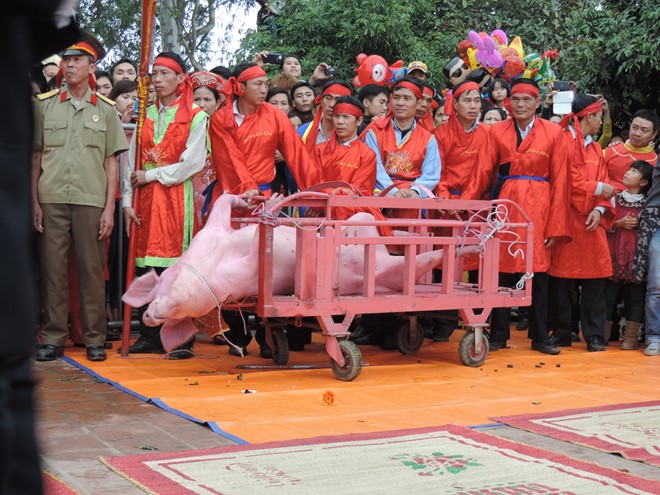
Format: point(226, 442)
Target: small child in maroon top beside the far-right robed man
point(622, 240)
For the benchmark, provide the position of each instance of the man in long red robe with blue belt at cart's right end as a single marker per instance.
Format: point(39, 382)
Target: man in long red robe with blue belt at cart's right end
point(529, 156)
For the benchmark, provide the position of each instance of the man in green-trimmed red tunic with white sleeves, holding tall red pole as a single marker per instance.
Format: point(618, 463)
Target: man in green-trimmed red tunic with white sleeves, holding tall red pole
point(173, 143)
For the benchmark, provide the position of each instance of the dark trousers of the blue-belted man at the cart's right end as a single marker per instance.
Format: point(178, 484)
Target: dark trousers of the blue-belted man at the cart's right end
point(500, 330)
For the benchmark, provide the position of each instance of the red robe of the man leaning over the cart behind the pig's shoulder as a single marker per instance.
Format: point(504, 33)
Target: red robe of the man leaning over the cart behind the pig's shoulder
point(244, 157)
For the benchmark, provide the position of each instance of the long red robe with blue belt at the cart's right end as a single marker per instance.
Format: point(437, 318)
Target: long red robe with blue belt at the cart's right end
point(542, 154)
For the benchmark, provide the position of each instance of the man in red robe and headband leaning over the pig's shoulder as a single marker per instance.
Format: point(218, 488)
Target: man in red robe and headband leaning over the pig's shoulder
point(247, 133)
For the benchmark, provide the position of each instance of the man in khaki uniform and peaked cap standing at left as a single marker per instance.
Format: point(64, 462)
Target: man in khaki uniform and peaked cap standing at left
point(74, 174)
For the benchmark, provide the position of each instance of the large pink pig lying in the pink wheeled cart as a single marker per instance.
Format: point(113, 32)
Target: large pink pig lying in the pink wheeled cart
point(222, 263)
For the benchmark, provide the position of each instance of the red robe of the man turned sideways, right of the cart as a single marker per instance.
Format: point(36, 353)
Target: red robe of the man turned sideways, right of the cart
point(587, 254)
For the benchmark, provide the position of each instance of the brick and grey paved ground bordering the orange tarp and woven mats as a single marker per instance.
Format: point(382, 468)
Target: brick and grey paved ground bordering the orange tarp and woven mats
point(81, 419)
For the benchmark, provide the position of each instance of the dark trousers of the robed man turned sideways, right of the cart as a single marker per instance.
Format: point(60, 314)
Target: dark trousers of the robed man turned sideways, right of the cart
point(593, 307)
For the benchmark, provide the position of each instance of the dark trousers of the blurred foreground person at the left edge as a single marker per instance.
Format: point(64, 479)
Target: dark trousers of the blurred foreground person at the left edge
point(20, 472)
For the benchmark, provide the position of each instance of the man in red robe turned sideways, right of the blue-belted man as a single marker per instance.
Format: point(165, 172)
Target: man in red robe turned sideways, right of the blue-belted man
point(587, 256)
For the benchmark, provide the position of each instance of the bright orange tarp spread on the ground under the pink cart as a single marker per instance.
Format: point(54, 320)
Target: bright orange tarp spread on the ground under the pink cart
point(393, 392)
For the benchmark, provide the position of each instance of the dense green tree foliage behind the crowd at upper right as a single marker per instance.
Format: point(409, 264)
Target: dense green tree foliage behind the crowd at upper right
point(606, 46)
